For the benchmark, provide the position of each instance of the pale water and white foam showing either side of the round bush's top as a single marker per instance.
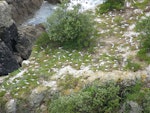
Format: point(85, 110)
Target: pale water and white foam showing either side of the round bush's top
point(47, 9)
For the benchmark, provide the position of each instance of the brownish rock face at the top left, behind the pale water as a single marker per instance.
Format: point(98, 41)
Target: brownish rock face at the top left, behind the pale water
point(23, 9)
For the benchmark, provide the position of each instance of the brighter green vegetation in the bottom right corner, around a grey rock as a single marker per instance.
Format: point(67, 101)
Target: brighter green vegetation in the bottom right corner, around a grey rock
point(137, 93)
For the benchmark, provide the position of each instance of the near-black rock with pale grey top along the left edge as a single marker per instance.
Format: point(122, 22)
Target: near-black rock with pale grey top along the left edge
point(8, 38)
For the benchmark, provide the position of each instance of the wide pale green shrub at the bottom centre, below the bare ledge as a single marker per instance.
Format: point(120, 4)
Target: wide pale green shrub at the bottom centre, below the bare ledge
point(94, 98)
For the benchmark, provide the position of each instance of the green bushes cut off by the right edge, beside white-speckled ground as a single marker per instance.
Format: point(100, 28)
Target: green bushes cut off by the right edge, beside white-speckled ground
point(143, 27)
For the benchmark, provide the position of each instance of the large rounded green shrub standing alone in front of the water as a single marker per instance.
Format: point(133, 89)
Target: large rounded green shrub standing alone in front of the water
point(70, 27)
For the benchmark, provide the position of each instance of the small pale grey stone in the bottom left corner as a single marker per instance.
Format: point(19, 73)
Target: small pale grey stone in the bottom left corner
point(11, 106)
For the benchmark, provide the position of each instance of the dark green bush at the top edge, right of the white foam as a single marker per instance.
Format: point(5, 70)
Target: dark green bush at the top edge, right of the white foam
point(110, 5)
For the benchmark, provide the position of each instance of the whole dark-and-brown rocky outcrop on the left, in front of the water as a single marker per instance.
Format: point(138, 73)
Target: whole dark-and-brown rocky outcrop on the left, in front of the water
point(15, 45)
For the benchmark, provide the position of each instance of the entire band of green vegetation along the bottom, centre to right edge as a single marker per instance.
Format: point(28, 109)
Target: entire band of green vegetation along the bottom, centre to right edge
point(102, 98)
